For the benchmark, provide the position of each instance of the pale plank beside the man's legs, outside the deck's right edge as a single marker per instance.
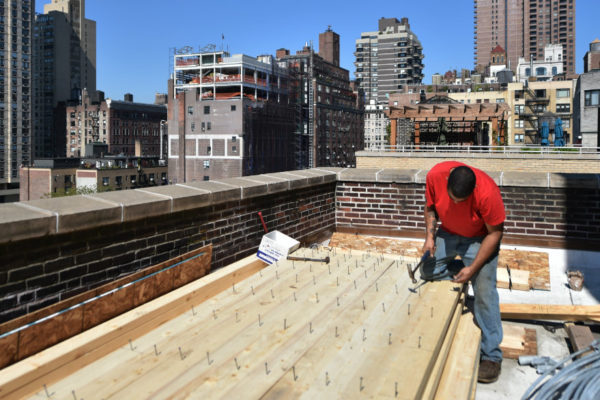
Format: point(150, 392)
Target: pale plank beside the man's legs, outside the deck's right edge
point(461, 366)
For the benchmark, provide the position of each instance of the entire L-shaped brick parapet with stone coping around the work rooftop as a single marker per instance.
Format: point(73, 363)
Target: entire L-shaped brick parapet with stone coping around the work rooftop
point(55, 248)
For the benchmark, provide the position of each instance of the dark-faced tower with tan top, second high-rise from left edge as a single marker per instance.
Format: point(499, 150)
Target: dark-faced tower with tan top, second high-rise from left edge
point(65, 45)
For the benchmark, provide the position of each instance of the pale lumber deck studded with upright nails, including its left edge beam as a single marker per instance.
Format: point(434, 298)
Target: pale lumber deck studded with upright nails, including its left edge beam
point(353, 328)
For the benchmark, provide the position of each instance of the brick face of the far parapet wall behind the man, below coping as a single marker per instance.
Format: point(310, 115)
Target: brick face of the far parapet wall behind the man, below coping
point(554, 214)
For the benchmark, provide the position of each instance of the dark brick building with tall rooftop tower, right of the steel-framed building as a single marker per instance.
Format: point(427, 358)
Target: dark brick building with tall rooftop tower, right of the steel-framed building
point(328, 117)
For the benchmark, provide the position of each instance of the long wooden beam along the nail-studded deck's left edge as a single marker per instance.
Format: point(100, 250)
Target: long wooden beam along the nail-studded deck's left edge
point(27, 376)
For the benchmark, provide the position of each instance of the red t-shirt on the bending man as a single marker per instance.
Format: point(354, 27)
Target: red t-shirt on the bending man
point(466, 218)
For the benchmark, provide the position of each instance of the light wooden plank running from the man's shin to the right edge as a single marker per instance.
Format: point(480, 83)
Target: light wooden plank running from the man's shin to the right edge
point(550, 312)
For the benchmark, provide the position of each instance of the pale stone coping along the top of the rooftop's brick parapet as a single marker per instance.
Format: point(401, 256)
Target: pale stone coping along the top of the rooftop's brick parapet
point(38, 218)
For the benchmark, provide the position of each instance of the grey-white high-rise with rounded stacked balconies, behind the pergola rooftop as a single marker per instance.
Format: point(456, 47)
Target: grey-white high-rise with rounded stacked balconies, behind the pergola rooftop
point(386, 61)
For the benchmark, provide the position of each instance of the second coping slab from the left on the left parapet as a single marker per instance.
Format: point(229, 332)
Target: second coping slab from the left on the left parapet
point(79, 212)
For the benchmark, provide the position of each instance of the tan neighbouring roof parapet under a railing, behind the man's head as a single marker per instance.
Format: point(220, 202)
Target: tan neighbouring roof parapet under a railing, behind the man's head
point(561, 163)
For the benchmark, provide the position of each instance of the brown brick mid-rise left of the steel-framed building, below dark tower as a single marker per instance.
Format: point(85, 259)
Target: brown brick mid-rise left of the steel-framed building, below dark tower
point(118, 124)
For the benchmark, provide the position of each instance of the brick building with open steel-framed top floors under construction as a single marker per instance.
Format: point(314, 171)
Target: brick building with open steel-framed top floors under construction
point(228, 116)
